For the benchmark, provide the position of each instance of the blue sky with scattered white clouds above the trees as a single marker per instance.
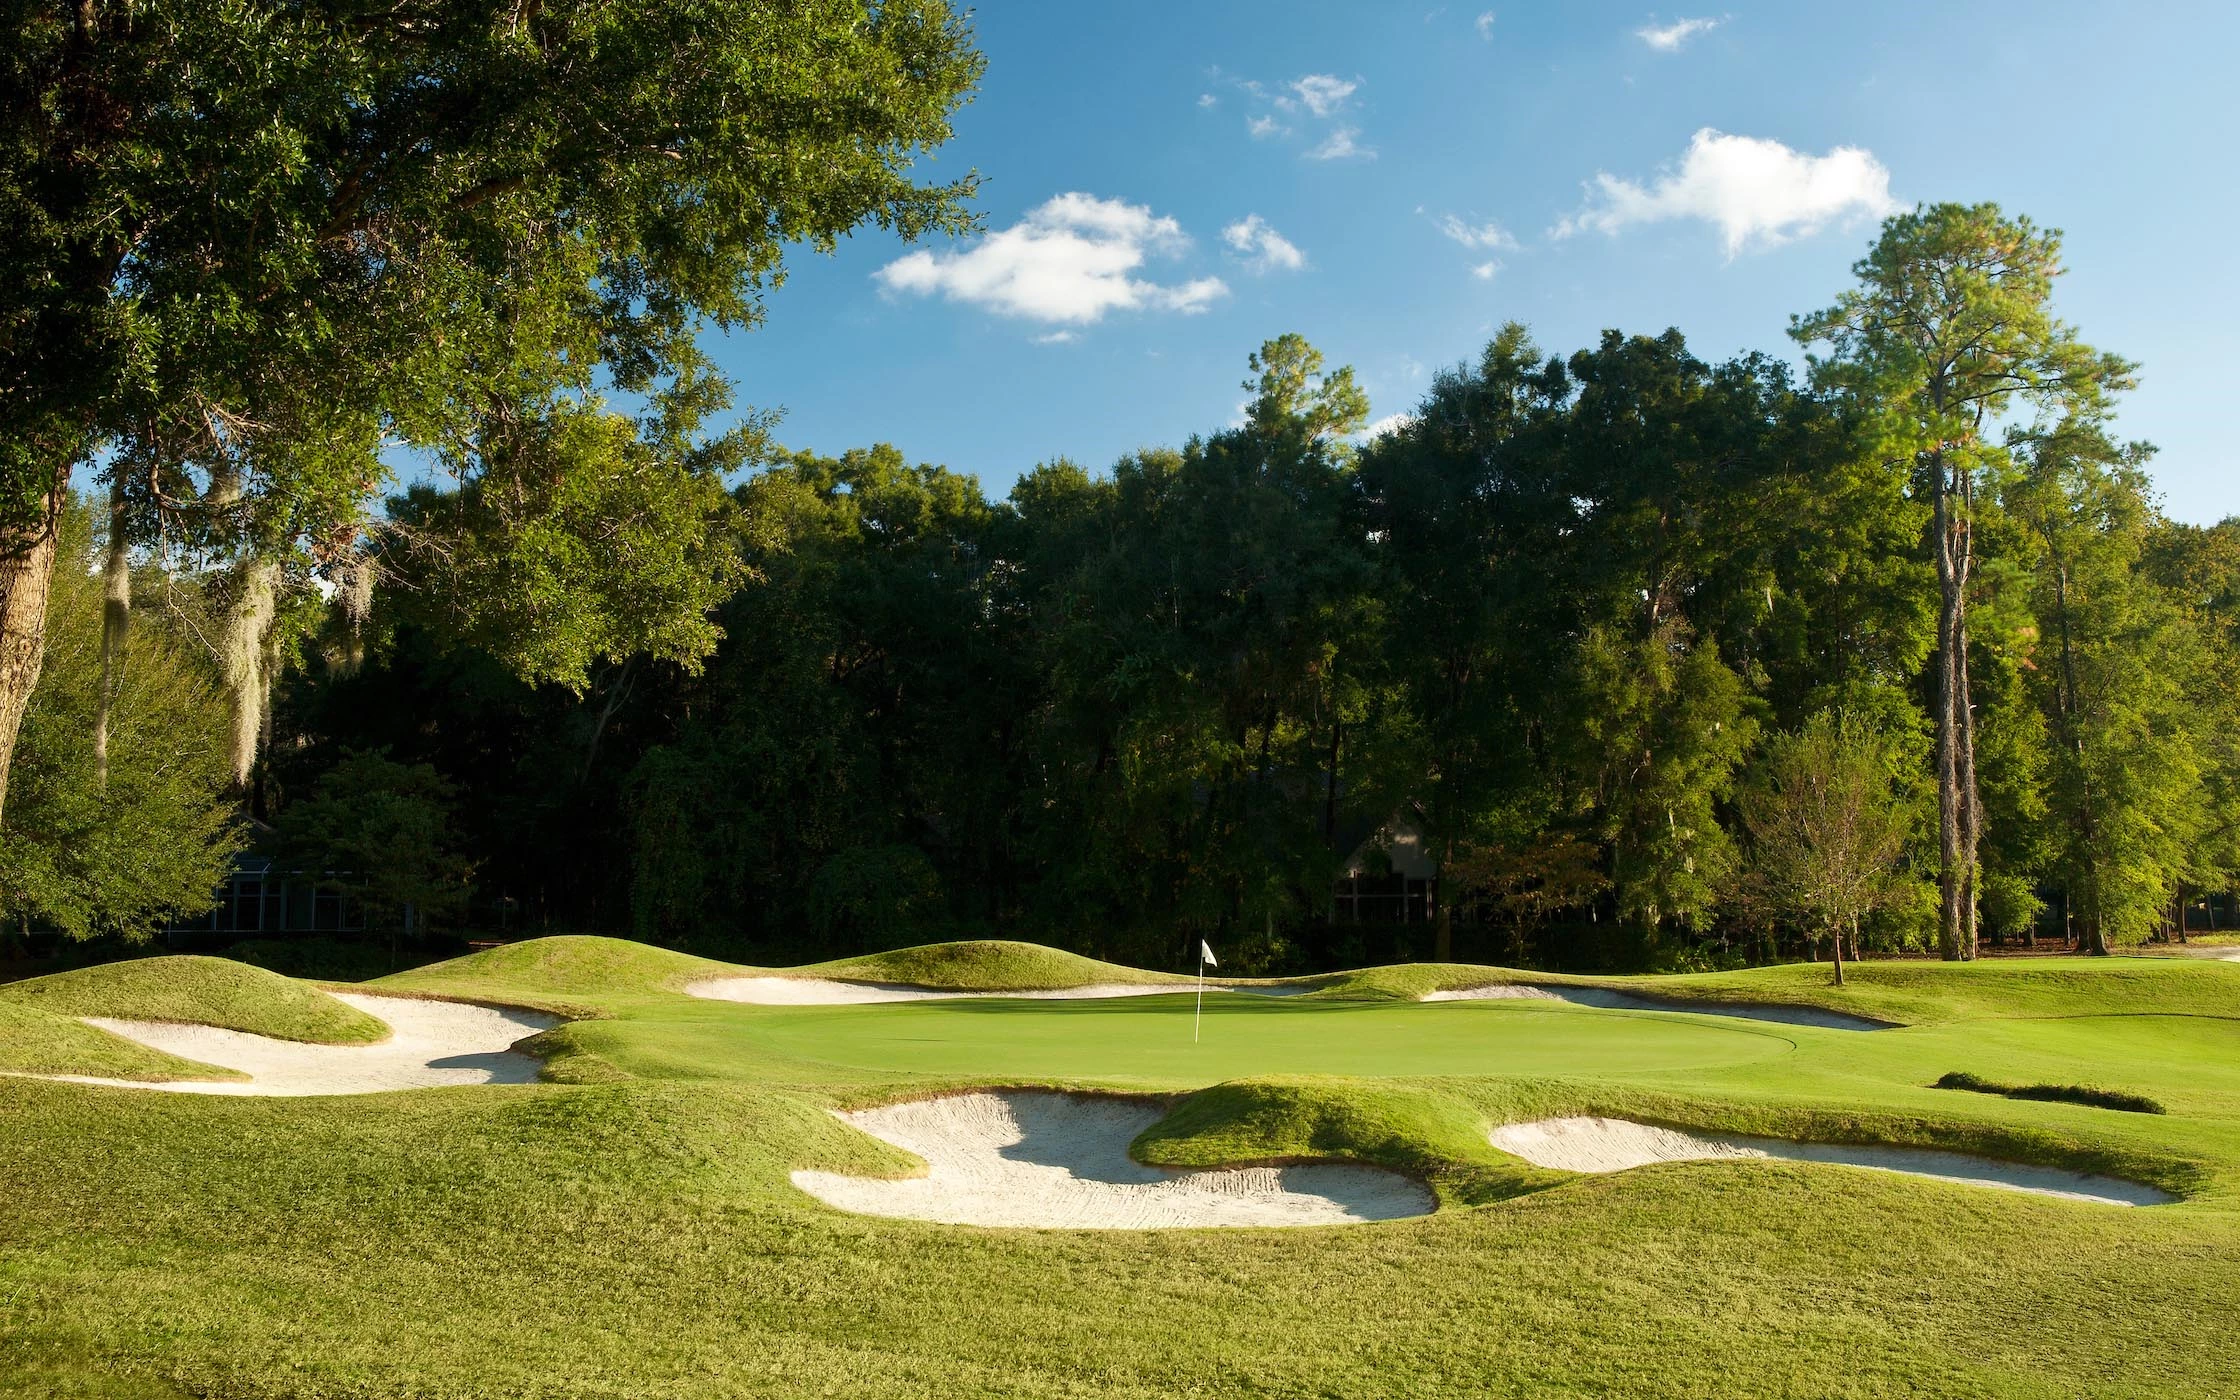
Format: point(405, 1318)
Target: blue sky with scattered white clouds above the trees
point(1435, 171)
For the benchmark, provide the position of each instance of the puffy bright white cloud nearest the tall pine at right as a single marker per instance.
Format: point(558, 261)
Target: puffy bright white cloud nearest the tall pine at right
point(1760, 194)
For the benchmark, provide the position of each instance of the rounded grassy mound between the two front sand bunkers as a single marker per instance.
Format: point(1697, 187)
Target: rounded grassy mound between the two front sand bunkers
point(1332, 1119)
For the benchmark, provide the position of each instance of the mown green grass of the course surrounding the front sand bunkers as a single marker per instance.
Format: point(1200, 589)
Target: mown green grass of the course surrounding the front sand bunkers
point(633, 1233)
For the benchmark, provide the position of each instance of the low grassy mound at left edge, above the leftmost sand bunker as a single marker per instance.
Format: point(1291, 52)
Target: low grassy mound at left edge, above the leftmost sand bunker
point(200, 993)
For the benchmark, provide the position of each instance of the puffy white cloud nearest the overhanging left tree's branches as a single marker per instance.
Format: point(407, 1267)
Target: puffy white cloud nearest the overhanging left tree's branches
point(1067, 263)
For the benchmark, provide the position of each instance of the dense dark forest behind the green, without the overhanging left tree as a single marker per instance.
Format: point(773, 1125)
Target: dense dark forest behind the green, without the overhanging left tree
point(1643, 651)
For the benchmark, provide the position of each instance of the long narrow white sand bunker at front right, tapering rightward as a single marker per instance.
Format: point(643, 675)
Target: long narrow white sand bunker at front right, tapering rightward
point(1616, 1146)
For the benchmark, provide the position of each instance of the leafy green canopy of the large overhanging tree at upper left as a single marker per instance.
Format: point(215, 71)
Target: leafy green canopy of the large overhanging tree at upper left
point(286, 239)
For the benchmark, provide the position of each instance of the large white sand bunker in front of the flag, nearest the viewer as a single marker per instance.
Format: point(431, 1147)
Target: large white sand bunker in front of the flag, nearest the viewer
point(1058, 1161)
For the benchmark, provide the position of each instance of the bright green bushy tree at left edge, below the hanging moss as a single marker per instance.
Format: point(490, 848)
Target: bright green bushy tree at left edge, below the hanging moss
point(158, 839)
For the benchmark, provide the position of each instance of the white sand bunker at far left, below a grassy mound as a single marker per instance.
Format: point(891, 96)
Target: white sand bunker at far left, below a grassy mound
point(431, 1043)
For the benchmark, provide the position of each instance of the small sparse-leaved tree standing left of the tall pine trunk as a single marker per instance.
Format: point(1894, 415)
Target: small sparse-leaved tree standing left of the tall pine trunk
point(1829, 823)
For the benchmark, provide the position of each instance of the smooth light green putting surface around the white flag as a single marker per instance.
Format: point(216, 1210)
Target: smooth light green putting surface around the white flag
point(1148, 1040)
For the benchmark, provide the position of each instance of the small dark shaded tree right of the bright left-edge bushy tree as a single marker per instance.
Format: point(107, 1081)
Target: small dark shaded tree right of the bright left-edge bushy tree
point(380, 832)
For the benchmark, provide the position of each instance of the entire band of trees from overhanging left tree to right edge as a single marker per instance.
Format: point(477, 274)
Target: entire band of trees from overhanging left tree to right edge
point(1656, 660)
